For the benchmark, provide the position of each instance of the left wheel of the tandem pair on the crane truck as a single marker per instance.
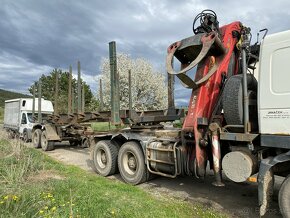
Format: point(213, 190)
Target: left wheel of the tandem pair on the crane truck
point(104, 156)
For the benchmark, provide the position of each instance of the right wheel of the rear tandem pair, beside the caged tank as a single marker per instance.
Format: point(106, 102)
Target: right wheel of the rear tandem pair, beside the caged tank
point(131, 163)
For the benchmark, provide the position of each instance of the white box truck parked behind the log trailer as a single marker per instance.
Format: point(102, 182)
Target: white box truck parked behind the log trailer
point(18, 118)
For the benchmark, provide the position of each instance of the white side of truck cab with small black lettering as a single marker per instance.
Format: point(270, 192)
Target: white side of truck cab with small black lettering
point(274, 88)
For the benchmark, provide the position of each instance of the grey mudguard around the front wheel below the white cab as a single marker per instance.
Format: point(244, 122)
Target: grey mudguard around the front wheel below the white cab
point(266, 180)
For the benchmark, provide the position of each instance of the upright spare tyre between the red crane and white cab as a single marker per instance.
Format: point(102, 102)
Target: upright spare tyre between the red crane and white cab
point(232, 100)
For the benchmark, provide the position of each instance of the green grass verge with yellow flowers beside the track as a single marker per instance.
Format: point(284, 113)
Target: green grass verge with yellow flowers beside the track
point(26, 190)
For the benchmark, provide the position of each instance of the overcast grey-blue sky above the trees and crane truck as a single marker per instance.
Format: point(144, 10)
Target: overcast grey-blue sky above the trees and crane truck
point(39, 35)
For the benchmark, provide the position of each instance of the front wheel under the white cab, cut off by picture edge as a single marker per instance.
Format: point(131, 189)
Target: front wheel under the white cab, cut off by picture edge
point(284, 198)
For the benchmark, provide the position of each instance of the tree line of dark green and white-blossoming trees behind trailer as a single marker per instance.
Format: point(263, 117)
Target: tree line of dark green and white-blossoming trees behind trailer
point(149, 91)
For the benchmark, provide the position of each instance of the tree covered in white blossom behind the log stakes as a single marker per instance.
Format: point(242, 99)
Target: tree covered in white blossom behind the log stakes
point(149, 91)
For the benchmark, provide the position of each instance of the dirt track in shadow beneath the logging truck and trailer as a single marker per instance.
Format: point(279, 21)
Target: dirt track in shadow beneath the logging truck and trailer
point(237, 200)
